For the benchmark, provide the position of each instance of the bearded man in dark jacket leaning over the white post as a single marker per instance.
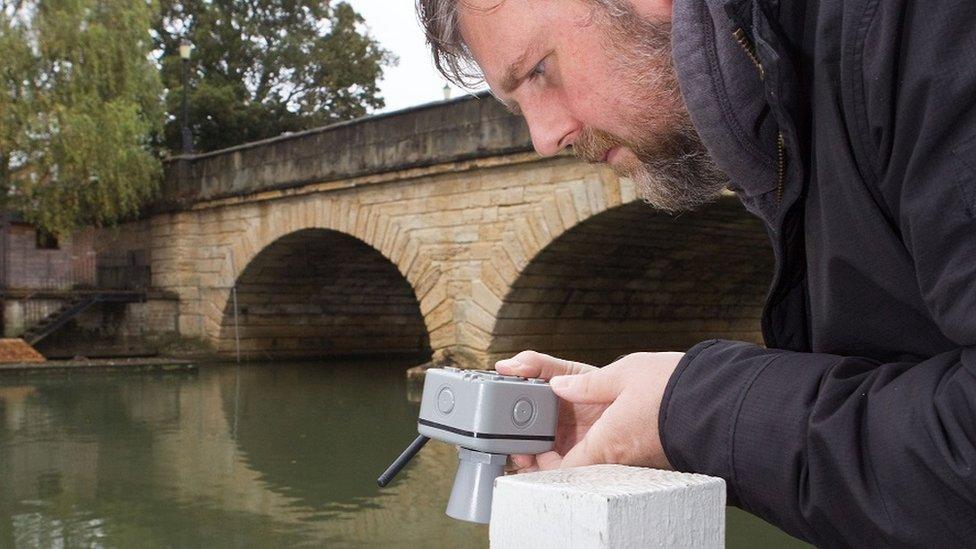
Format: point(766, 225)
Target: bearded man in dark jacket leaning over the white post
point(849, 128)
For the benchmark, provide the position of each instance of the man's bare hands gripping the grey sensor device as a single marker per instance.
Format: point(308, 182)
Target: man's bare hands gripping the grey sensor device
point(606, 415)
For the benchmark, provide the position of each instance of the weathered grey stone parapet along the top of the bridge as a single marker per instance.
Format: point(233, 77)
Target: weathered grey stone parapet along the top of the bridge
point(437, 133)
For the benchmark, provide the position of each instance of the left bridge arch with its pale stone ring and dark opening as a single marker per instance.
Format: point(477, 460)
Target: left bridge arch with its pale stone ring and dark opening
point(323, 277)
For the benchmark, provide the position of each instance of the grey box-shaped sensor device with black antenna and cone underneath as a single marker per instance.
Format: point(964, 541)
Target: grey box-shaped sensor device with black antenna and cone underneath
point(488, 416)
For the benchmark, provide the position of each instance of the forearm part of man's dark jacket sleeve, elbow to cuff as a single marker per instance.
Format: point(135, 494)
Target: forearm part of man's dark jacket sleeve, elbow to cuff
point(839, 451)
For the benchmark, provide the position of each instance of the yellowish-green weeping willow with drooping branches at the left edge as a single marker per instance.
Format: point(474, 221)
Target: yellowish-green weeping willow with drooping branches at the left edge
point(80, 100)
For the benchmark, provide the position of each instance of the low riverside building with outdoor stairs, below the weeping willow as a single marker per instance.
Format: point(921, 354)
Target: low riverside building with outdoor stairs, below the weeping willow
point(94, 301)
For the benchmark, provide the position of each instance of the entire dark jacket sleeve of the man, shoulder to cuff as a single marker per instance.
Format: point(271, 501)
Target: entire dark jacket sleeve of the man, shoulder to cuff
point(848, 451)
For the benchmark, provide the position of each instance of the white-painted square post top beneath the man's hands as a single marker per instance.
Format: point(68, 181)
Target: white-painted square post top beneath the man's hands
point(607, 506)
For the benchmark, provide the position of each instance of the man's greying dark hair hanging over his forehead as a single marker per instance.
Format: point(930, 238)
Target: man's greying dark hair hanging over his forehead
point(451, 55)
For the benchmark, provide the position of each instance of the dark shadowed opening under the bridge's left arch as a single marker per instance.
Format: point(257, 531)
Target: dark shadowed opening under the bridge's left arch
point(318, 293)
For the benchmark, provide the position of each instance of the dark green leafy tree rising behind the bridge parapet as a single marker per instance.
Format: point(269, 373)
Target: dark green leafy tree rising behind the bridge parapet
point(263, 67)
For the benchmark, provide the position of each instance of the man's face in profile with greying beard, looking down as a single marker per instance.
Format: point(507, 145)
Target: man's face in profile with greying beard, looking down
point(602, 83)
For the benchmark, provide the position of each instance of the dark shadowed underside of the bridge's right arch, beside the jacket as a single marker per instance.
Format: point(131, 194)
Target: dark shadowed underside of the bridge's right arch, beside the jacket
point(633, 279)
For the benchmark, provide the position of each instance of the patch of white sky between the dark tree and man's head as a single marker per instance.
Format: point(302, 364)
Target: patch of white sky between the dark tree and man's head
point(415, 80)
